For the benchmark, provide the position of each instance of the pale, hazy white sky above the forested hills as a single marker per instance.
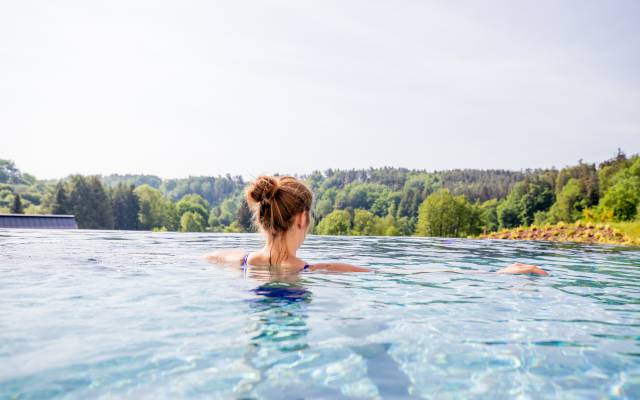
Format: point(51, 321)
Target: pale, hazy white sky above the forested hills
point(180, 88)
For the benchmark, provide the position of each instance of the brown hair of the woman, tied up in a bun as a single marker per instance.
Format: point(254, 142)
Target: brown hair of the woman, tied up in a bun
point(275, 201)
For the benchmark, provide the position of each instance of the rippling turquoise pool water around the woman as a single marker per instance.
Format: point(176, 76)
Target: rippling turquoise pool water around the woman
point(91, 314)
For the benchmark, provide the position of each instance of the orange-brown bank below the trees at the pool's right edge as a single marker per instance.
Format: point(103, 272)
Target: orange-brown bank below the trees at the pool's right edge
point(611, 233)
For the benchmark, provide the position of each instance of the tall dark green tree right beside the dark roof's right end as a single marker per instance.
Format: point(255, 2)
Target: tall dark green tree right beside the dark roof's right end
point(90, 203)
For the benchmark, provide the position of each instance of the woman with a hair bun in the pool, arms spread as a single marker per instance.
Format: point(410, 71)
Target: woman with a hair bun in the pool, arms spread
point(281, 207)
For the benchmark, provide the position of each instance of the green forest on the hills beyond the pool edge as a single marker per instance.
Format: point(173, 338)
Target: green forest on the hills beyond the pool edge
point(376, 201)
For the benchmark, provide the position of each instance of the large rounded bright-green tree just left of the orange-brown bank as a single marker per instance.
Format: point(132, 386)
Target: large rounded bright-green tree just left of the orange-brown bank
point(442, 214)
